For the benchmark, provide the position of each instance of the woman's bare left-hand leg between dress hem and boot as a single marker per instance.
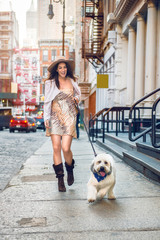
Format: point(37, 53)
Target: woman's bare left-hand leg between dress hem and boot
point(56, 143)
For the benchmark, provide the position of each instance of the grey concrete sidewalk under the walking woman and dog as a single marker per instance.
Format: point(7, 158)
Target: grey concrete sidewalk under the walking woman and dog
point(32, 208)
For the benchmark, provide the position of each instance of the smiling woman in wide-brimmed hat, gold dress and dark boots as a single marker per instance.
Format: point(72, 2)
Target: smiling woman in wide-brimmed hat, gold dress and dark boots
point(61, 94)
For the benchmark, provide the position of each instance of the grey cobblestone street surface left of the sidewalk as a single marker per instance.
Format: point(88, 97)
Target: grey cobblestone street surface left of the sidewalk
point(15, 148)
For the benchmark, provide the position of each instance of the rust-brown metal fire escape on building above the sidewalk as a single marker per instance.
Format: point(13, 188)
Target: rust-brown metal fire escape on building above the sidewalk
point(92, 38)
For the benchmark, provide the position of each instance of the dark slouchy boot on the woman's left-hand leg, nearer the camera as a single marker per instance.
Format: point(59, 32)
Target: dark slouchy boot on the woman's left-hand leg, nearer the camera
point(60, 175)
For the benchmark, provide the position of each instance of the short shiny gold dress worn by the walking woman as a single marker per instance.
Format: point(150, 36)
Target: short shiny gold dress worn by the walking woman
point(63, 114)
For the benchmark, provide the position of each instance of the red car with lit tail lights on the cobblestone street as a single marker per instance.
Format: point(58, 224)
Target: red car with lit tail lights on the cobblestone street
point(19, 123)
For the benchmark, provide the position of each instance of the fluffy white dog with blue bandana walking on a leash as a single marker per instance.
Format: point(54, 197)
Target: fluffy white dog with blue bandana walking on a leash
point(103, 178)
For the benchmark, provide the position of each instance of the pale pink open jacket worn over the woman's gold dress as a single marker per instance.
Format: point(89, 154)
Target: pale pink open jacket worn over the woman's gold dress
point(51, 92)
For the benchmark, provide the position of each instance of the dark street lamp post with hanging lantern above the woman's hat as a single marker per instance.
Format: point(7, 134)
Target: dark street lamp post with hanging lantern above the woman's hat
point(51, 15)
